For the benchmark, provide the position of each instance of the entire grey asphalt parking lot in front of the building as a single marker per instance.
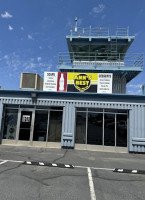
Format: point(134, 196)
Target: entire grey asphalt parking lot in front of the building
point(92, 176)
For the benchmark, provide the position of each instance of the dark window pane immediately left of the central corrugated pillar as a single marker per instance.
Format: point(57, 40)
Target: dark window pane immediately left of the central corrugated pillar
point(55, 126)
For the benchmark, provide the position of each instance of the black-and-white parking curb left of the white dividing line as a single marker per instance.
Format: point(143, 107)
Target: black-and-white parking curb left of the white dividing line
point(59, 165)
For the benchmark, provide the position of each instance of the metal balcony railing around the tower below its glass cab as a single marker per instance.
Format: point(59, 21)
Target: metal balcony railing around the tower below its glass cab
point(101, 59)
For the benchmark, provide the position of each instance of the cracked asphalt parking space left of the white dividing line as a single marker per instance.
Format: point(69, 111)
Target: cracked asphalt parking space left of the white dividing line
point(18, 181)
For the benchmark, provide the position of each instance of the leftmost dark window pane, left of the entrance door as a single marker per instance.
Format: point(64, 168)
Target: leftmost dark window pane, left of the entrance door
point(10, 124)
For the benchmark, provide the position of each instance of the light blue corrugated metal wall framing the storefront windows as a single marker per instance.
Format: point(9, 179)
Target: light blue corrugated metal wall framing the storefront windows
point(136, 128)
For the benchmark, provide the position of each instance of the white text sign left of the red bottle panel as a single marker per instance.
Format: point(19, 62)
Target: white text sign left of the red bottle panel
point(50, 81)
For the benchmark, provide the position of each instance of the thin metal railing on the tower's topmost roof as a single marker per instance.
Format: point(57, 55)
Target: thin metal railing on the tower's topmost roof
point(98, 31)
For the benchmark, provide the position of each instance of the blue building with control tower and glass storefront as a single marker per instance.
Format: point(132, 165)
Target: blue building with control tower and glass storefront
point(82, 118)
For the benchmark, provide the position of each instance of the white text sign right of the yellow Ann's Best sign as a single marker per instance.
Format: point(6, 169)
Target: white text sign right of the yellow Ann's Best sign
point(105, 83)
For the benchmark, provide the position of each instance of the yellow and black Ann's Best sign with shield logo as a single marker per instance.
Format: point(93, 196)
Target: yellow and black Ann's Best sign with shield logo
point(81, 82)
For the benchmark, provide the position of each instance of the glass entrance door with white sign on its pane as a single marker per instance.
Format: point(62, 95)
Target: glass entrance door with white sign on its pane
point(26, 121)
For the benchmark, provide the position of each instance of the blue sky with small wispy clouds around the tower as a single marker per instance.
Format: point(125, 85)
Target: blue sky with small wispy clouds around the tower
point(32, 32)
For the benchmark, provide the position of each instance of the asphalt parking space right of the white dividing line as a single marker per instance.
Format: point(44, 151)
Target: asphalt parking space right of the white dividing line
point(109, 186)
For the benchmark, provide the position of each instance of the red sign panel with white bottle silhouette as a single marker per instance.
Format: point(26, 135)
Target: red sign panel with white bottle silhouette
point(62, 82)
